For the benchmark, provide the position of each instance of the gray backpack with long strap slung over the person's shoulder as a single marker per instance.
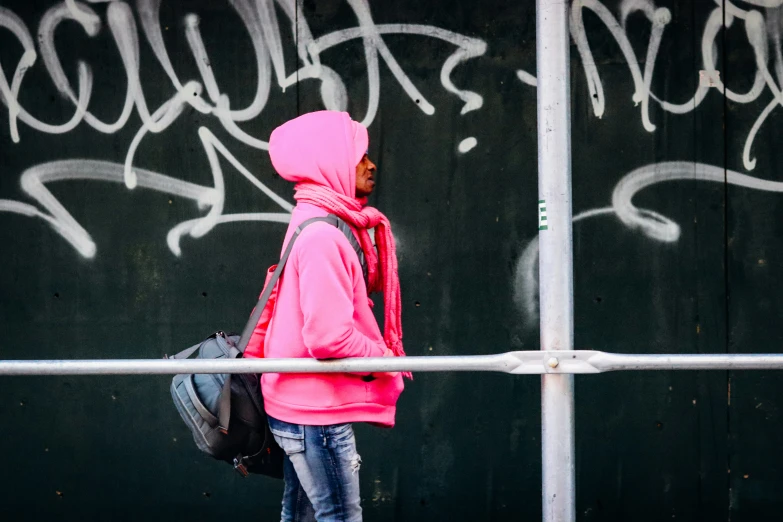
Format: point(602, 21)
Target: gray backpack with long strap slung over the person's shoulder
point(225, 412)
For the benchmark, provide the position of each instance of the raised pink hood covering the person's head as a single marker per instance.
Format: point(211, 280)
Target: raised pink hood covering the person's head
point(321, 147)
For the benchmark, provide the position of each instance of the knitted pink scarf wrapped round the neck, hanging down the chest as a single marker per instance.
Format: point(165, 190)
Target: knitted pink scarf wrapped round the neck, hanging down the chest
point(382, 273)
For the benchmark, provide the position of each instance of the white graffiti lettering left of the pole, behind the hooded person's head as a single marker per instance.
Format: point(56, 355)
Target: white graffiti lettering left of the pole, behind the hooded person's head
point(260, 21)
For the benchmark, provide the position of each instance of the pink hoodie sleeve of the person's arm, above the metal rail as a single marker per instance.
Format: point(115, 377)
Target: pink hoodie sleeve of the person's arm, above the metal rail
point(326, 295)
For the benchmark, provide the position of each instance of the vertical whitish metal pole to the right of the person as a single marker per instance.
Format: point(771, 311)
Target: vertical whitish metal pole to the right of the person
point(556, 275)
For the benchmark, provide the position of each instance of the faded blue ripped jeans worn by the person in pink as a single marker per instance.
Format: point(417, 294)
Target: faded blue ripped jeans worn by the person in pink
point(321, 471)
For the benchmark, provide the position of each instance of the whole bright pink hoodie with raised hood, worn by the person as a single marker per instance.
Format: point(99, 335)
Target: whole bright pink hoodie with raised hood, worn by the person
point(322, 309)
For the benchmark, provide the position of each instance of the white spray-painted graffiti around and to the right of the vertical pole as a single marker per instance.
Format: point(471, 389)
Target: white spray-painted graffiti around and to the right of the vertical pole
point(759, 32)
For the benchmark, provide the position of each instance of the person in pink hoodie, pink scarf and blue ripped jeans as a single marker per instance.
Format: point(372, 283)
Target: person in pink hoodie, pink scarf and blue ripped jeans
point(323, 311)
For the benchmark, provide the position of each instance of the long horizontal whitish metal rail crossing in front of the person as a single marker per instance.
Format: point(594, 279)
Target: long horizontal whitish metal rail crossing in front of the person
point(518, 363)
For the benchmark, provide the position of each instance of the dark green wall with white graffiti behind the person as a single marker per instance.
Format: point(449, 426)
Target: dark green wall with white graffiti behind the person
point(692, 266)
